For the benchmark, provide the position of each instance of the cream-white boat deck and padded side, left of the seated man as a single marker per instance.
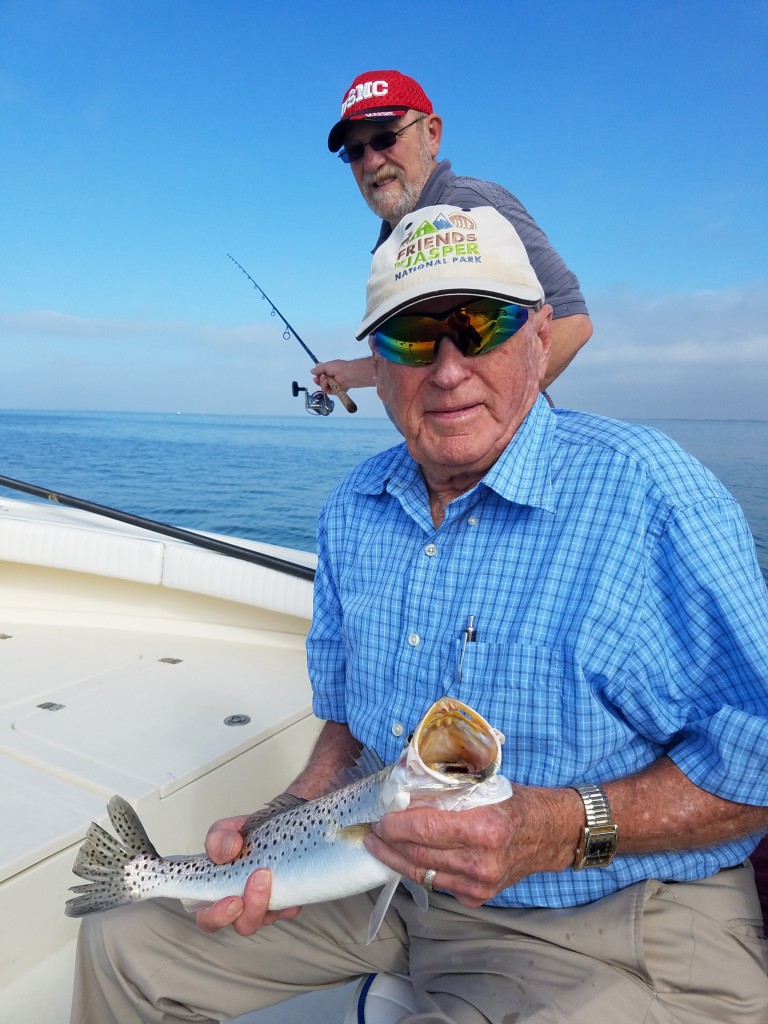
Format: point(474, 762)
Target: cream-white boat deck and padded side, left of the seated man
point(136, 665)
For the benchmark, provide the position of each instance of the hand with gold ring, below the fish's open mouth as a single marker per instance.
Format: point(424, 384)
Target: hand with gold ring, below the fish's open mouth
point(479, 852)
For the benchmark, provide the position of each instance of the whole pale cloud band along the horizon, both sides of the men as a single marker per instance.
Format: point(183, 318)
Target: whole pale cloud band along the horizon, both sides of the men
point(695, 356)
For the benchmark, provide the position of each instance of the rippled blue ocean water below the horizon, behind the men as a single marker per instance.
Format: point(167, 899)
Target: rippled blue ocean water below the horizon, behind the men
point(267, 478)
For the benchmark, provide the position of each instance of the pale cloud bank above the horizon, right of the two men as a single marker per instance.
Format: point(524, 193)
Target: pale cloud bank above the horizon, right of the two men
point(698, 355)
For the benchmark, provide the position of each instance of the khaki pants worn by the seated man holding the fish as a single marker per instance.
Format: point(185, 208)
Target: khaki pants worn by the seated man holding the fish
point(654, 954)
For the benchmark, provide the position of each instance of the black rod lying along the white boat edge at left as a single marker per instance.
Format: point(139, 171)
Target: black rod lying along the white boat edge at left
point(199, 540)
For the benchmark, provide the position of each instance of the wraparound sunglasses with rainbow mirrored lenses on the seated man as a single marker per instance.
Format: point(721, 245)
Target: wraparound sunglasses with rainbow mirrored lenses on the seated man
point(476, 328)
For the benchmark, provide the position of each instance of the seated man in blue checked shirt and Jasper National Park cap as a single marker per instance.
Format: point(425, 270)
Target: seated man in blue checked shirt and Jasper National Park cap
point(621, 644)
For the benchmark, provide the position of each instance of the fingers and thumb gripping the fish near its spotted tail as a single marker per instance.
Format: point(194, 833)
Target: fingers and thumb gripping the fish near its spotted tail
point(246, 914)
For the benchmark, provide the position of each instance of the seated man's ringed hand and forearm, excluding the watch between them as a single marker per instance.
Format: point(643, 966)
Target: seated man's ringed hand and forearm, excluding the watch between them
point(477, 854)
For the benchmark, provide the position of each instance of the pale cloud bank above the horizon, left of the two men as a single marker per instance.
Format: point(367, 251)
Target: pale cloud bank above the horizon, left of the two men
point(54, 360)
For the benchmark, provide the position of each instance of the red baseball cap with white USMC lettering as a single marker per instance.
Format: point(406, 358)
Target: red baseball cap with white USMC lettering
point(378, 96)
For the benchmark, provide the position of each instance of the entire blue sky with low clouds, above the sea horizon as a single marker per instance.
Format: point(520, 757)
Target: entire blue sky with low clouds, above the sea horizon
point(143, 142)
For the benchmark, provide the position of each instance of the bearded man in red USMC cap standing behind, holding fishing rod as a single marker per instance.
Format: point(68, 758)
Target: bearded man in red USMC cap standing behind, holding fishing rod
point(390, 136)
